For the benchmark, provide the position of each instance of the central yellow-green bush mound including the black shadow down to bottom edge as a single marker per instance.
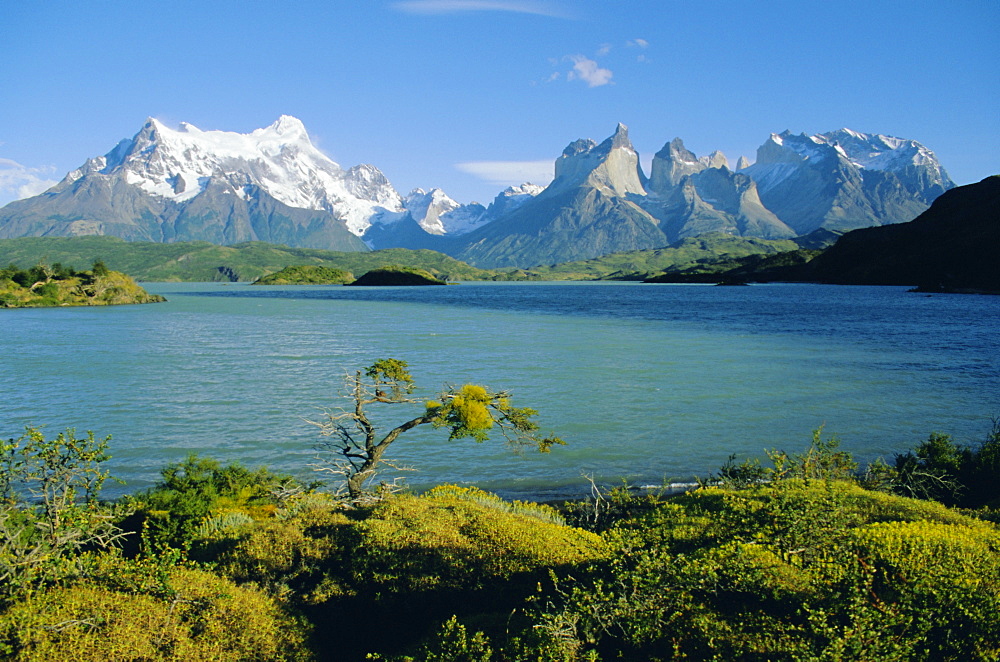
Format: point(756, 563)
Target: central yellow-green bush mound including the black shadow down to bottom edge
point(406, 563)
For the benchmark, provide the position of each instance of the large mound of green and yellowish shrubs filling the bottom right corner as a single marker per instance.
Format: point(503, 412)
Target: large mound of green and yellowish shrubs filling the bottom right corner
point(792, 570)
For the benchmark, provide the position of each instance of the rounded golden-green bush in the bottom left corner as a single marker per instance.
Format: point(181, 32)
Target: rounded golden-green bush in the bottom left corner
point(200, 617)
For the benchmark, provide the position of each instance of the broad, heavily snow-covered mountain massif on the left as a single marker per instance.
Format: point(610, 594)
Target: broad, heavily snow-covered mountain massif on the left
point(184, 184)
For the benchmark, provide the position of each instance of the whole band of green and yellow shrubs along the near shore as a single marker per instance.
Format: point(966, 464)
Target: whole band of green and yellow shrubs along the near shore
point(803, 558)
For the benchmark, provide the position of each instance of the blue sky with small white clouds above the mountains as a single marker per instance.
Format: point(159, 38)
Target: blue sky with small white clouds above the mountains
point(470, 95)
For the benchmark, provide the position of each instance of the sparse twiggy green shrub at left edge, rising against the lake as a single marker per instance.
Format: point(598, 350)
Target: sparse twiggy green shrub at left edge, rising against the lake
point(49, 508)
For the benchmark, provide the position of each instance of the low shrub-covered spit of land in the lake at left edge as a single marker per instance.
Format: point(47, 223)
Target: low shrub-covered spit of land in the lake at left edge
point(57, 285)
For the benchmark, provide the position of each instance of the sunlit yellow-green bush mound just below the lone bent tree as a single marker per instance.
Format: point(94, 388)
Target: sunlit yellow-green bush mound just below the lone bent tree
point(450, 538)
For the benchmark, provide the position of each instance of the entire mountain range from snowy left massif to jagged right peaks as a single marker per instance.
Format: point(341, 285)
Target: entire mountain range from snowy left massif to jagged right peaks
point(273, 185)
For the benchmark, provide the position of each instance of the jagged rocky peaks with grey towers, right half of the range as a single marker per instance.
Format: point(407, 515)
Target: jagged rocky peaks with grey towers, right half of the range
point(601, 202)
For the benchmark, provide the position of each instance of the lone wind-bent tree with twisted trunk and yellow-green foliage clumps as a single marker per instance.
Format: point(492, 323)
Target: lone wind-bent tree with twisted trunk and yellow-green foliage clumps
point(468, 411)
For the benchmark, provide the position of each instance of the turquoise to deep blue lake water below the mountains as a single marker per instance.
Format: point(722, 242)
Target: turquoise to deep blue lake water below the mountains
point(651, 383)
